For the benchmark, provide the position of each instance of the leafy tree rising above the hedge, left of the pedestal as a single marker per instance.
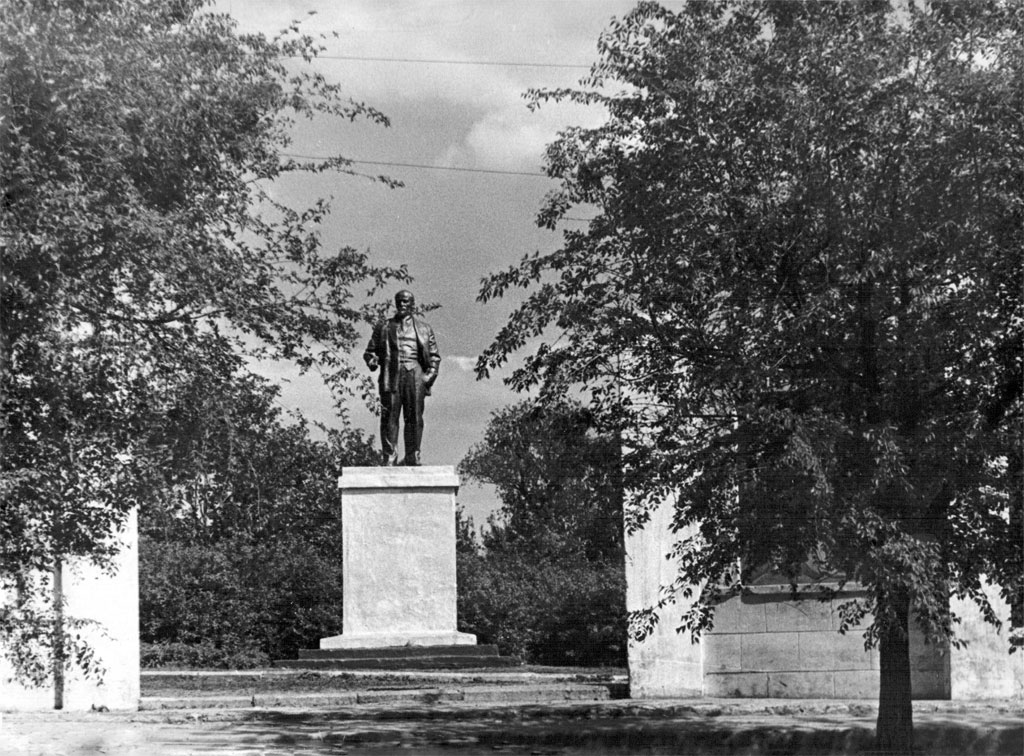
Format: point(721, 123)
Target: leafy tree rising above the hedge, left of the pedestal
point(235, 465)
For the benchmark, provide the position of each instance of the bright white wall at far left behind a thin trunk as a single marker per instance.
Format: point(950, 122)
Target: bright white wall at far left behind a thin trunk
point(111, 601)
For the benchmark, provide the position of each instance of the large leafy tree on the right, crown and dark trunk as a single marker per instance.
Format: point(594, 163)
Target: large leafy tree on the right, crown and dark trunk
point(800, 298)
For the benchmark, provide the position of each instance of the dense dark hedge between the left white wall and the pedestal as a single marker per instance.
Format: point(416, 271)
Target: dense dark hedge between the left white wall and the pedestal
point(236, 601)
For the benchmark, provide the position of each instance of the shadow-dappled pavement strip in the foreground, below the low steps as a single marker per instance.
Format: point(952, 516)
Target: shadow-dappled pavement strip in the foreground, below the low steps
point(516, 732)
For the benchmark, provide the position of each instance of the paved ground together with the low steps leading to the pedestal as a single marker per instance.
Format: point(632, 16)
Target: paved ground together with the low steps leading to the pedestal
point(400, 716)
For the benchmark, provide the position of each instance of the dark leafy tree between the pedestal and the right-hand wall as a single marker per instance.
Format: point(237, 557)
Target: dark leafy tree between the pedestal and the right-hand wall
point(547, 583)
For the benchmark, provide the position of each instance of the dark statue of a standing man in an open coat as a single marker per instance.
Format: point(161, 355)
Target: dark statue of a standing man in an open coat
point(405, 350)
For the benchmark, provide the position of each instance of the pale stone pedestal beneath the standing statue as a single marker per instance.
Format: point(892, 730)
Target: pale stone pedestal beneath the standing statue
point(399, 559)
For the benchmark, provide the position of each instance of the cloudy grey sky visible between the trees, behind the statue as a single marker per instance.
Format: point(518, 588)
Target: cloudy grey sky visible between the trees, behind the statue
point(451, 228)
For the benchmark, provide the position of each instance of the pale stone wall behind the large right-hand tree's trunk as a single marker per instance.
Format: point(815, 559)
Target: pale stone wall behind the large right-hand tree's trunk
point(769, 646)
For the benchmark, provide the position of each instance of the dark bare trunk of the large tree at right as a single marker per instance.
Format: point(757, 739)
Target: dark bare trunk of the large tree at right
point(894, 731)
